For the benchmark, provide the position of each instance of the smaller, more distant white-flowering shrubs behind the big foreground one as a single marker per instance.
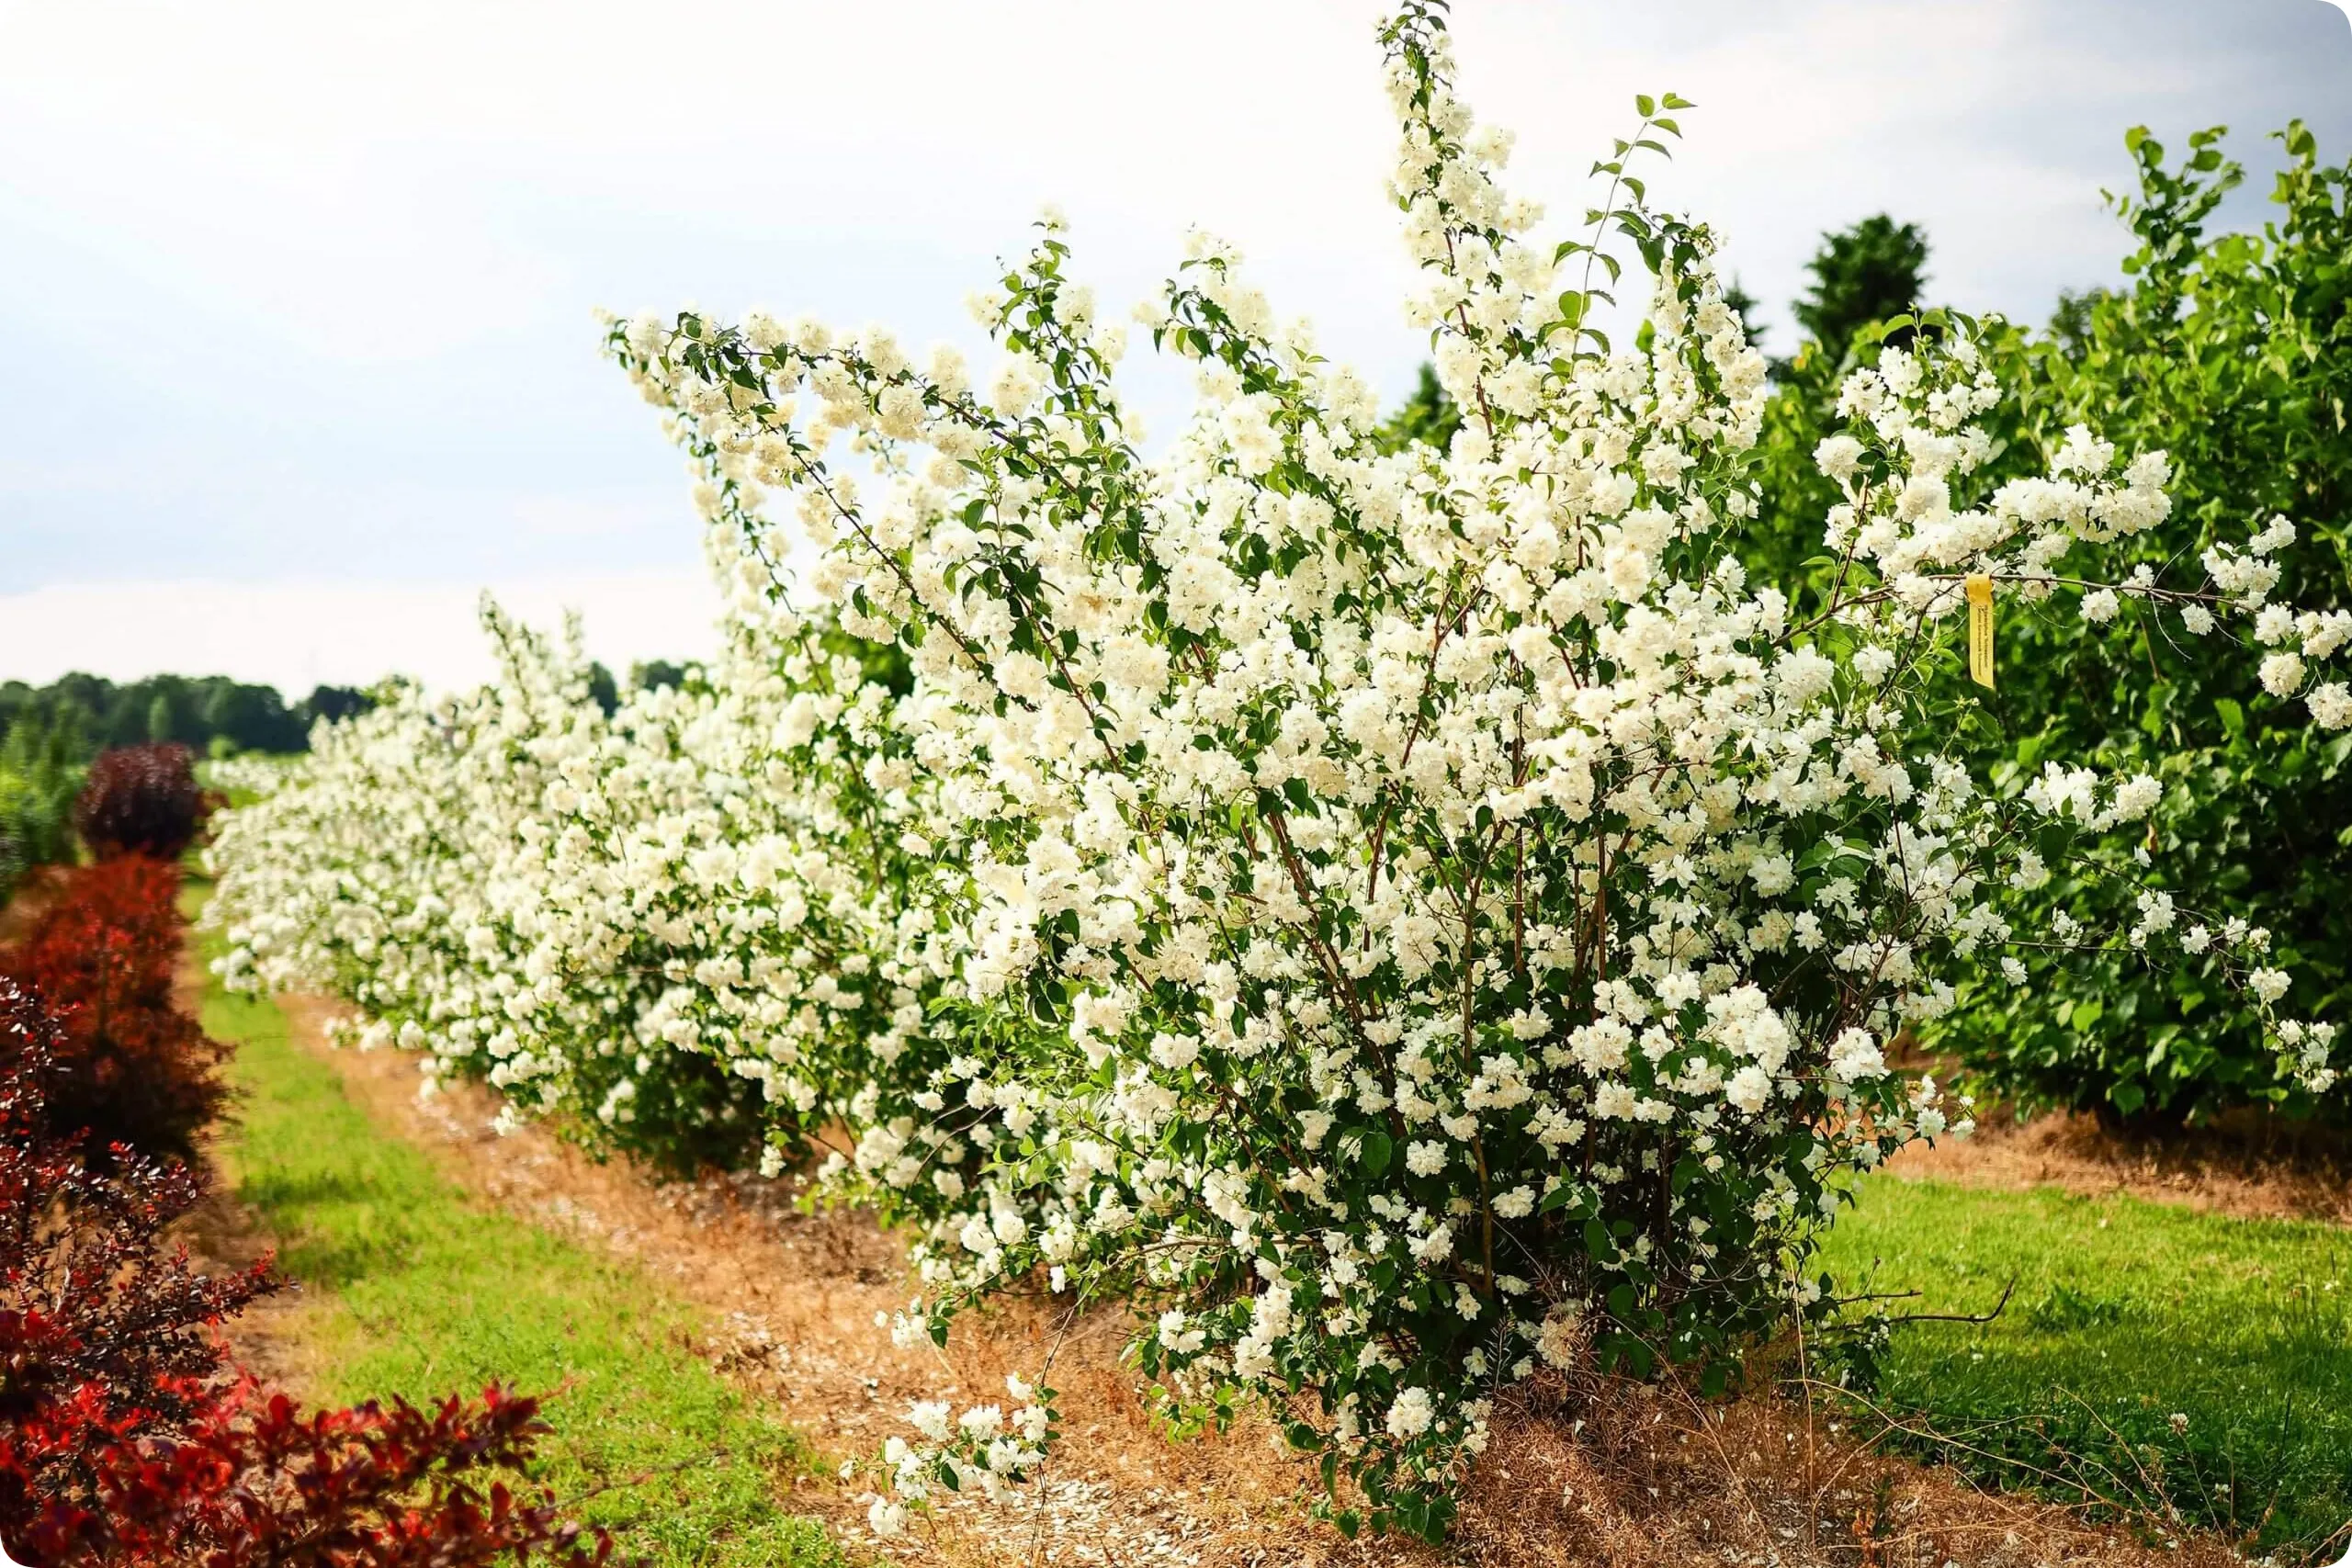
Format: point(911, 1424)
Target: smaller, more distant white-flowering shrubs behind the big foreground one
point(643, 923)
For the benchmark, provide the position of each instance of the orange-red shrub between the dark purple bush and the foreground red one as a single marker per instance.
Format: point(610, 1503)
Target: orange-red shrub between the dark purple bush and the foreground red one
point(133, 1066)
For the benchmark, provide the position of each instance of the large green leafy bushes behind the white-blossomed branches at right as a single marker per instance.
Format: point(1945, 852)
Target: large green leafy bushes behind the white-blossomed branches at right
point(2231, 351)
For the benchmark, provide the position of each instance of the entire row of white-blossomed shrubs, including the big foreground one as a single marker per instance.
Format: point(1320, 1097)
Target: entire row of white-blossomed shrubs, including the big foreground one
point(1394, 918)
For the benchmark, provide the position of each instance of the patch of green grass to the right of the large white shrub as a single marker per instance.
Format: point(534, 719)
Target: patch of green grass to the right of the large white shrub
point(2125, 1315)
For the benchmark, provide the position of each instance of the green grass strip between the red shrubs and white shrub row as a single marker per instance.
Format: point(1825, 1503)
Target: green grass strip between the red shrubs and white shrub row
point(420, 1292)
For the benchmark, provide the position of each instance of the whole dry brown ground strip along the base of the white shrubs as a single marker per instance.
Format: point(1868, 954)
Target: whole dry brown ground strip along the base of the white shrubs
point(1638, 1477)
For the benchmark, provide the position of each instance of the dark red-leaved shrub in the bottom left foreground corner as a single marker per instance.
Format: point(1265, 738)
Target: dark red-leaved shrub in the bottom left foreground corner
point(123, 1440)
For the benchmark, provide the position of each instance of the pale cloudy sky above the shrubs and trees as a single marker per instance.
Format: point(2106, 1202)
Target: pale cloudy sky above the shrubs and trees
point(298, 342)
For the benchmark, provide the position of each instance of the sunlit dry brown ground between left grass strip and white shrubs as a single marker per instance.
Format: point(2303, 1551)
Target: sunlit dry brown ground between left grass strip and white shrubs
point(796, 1301)
